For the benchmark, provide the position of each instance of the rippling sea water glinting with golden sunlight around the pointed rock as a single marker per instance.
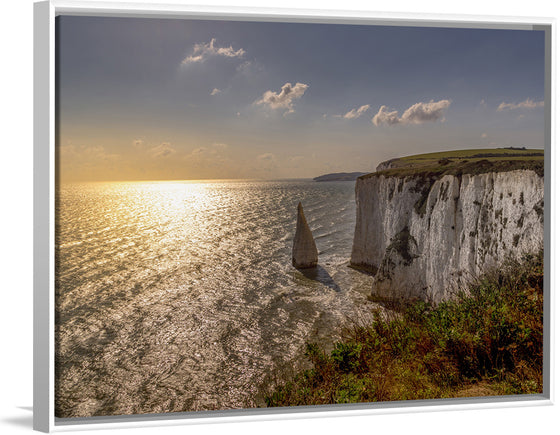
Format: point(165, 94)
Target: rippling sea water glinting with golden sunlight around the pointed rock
point(181, 296)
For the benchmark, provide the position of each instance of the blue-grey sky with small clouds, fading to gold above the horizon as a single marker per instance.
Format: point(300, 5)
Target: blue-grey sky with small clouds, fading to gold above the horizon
point(171, 99)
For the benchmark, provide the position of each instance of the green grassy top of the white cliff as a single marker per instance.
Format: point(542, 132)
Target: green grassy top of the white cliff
point(476, 161)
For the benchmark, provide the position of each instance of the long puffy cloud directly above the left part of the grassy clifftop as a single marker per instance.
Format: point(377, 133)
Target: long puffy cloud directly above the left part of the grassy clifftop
point(418, 113)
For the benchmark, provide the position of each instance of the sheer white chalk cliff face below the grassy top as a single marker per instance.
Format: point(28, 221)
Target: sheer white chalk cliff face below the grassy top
point(424, 237)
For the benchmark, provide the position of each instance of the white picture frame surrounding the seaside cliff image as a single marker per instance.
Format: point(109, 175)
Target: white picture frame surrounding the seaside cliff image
point(44, 163)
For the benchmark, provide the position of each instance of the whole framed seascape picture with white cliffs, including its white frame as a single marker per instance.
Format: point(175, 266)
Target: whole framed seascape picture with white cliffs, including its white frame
point(252, 213)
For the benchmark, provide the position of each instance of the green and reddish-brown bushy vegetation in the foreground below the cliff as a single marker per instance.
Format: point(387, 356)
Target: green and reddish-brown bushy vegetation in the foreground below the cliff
point(488, 341)
